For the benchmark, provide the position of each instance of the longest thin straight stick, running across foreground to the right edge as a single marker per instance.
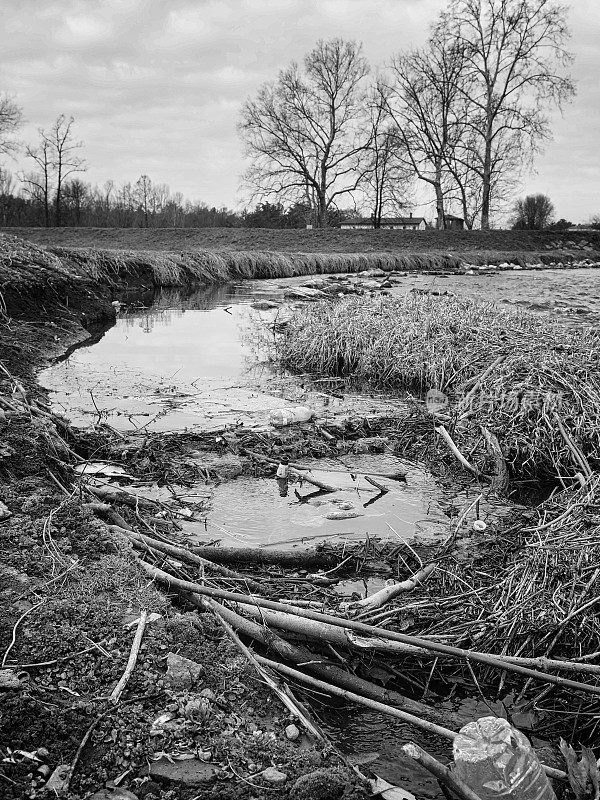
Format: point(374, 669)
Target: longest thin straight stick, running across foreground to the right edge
point(483, 658)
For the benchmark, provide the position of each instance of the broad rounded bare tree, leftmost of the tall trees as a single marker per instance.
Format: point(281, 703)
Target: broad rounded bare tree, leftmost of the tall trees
point(305, 133)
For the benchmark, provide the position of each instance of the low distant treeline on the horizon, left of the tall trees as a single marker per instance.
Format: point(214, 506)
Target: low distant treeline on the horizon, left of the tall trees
point(142, 204)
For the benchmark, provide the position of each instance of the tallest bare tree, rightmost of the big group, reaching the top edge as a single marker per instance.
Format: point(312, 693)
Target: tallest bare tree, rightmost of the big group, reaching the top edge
point(515, 61)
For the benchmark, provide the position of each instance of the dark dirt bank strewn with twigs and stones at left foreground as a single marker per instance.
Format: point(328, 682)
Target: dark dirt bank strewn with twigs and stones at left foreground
point(69, 591)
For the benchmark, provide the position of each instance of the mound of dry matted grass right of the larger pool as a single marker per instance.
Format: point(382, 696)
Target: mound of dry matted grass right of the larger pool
point(522, 378)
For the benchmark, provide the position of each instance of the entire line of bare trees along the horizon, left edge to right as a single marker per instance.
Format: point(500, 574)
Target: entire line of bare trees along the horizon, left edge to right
point(463, 116)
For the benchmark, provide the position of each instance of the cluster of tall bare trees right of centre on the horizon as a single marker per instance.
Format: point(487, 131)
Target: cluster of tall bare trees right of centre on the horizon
point(463, 115)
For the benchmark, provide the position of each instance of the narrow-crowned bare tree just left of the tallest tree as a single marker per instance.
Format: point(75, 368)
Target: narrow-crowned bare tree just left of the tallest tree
point(422, 97)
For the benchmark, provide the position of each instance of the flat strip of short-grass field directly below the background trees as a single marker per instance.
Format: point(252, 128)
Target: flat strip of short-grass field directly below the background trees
point(330, 240)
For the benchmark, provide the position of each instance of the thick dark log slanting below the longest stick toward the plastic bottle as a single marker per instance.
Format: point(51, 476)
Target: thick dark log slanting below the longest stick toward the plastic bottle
point(322, 668)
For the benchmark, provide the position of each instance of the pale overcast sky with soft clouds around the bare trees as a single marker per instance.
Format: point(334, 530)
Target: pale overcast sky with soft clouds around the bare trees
point(155, 86)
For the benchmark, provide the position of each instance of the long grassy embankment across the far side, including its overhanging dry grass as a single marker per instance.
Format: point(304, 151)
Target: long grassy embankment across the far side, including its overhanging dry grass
point(169, 257)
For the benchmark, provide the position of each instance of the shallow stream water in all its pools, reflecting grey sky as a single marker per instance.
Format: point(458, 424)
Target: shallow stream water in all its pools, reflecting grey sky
point(180, 360)
